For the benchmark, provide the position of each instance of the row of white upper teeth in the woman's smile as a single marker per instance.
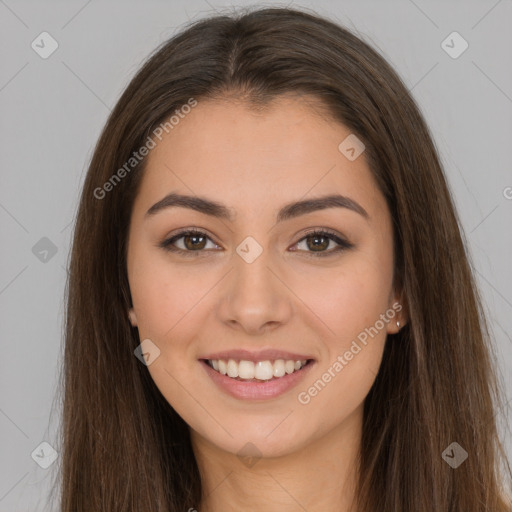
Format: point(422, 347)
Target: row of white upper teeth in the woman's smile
point(261, 370)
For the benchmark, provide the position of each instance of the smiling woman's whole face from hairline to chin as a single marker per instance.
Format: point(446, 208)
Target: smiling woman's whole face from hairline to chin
point(256, 279)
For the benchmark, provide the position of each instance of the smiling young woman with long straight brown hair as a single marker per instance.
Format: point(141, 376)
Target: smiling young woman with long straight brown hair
point(270, 302)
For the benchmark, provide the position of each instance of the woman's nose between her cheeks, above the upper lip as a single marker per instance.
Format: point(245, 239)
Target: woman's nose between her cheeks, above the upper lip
point(255, 298)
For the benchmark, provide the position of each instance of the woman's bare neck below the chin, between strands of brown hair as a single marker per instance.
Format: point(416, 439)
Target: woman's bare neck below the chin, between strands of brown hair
point(317, 476)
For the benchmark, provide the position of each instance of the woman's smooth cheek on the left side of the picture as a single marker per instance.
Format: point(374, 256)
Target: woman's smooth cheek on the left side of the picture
point(167, 301)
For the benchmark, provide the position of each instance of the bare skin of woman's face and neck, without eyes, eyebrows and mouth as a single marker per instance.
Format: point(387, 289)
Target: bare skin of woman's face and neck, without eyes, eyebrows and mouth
point(255, 163)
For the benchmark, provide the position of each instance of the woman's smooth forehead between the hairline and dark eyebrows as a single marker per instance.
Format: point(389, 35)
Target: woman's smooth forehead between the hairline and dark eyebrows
point(248, 159)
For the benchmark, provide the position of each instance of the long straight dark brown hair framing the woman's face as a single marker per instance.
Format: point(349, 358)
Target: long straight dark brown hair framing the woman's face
point(124, 448)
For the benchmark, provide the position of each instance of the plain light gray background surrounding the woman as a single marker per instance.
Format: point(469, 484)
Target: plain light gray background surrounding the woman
point(52, 111)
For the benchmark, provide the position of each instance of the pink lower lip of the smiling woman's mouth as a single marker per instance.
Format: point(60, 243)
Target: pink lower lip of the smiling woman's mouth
point(252, 390)
